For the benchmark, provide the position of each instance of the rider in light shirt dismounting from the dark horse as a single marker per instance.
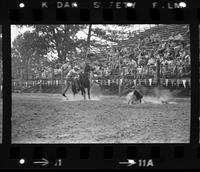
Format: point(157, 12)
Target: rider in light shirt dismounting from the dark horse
point(72, 75)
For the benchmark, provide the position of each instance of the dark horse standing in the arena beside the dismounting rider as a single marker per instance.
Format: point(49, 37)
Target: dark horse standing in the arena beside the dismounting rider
point(82, 82)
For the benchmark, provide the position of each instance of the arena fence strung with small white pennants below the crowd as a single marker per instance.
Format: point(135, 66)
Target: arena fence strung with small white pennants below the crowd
point(45, 83)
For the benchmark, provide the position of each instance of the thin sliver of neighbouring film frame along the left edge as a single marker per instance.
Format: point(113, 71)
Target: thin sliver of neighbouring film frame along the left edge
point(1, 85)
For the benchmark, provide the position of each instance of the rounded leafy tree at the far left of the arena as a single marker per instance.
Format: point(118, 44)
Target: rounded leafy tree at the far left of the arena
point(28, 53)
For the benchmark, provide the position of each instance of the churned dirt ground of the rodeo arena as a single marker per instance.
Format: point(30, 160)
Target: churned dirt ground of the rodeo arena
point(50, 118)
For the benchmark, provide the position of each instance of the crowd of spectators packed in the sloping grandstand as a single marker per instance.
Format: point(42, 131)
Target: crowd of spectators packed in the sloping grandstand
point(150, 56)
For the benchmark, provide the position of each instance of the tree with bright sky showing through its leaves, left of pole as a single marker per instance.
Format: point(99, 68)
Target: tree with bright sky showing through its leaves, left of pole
point(60, 39)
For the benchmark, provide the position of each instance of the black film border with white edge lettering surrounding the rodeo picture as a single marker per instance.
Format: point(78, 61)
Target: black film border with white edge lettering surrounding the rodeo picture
point(99, 156)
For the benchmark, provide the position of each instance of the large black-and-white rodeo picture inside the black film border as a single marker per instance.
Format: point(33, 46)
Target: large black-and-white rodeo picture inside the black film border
point(101, 83)
